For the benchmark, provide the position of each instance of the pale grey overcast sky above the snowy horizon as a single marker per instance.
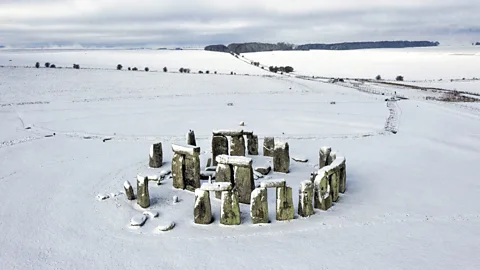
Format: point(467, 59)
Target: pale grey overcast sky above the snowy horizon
point(202, 22)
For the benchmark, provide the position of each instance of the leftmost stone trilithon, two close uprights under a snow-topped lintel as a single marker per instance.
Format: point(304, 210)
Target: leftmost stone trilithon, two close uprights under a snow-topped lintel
point(186, 167)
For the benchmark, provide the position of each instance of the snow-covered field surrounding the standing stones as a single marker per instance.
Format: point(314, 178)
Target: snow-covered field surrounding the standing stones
point(411, 202)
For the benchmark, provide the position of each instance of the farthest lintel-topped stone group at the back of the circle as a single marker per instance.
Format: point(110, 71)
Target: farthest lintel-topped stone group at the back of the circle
point(237, 147)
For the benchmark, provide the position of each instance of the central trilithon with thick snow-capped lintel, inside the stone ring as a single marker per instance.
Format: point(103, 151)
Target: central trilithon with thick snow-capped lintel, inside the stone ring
point(239, 172)
